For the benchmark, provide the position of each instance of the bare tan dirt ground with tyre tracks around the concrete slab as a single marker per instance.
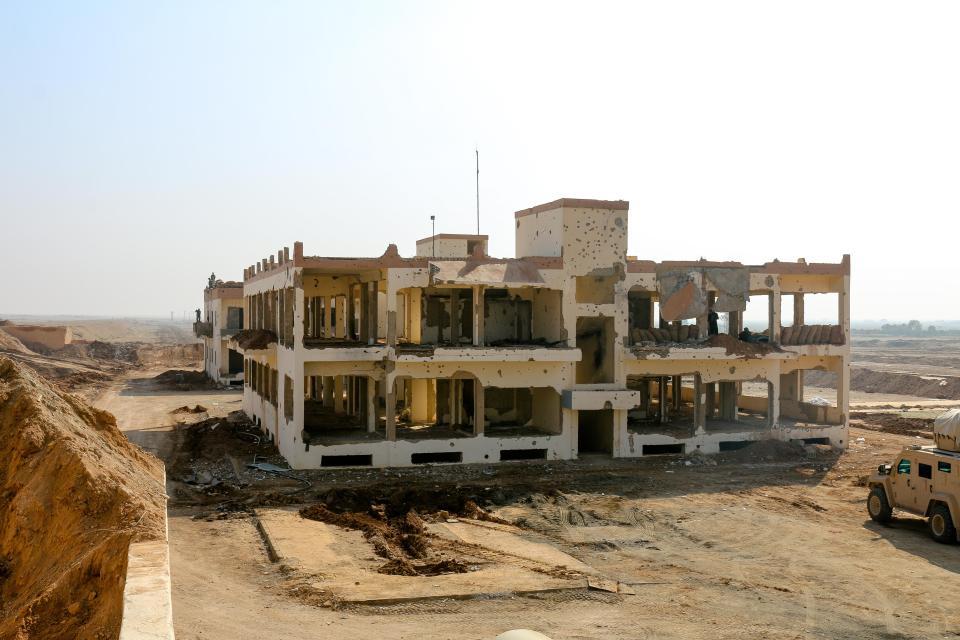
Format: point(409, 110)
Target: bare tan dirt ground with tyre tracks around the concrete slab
point(768, 543)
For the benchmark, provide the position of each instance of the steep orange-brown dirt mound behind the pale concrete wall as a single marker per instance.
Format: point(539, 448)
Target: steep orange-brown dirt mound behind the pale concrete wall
point(73, 494)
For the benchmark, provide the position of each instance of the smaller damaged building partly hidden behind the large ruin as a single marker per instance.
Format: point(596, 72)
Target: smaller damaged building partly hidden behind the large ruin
point(220, 319)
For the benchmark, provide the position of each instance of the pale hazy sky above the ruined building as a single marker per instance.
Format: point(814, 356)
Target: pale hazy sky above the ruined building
point(145, 144)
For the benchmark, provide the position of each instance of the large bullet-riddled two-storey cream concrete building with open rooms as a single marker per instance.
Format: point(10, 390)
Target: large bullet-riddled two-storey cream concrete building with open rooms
point(570, 348)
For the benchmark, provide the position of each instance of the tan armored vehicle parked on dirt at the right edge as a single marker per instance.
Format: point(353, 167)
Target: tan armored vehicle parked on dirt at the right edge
point(924, 481)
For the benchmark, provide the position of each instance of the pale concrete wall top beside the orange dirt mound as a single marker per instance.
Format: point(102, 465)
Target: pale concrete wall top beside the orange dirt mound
point(147, 602)
